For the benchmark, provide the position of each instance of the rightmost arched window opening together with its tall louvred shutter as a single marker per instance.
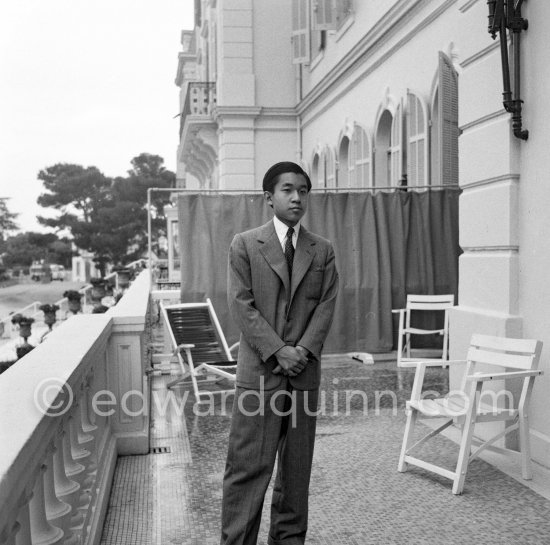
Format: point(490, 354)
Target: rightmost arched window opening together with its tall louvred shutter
point(444, 129)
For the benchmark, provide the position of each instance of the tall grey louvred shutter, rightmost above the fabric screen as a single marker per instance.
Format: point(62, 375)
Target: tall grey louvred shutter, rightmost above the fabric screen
point(448, 121)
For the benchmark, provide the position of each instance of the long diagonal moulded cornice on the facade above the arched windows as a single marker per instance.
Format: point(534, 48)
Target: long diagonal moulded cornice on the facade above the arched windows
point(387, 28)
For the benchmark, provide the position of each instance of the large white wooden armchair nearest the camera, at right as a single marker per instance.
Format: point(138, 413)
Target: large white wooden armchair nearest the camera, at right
point(473, 404)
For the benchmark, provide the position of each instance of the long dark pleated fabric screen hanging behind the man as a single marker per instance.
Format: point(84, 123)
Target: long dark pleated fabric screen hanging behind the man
point(386, 245)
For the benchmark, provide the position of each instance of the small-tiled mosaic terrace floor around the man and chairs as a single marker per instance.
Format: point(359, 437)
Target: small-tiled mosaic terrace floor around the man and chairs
point(356, 495)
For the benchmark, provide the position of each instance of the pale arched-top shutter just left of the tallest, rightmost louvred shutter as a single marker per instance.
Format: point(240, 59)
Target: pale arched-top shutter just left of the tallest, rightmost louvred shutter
point(417, 141)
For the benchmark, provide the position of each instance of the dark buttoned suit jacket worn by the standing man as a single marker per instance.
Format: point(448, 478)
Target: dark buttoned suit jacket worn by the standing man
point(271, 311)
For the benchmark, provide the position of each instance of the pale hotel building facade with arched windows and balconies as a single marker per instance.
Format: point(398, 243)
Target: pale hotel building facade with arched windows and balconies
point(380, 94)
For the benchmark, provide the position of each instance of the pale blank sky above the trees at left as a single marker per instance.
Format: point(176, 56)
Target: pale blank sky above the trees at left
point(89, 82)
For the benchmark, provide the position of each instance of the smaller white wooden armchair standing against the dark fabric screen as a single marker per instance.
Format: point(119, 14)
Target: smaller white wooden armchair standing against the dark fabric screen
point(422, 303)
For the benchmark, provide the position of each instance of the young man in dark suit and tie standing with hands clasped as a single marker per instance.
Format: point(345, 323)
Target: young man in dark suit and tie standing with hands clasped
point(282, 289)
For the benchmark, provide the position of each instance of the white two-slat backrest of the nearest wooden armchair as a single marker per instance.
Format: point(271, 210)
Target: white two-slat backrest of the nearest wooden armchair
point(521, 354)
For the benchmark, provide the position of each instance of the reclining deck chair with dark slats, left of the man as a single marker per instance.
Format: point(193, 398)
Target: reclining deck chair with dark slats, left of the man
point(200, 345)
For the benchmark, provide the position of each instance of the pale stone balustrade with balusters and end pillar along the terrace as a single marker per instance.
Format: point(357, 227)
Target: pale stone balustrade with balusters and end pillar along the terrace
point(67, 410)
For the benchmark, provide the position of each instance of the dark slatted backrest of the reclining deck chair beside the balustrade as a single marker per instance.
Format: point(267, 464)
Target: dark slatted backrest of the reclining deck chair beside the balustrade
point(197, 323)
